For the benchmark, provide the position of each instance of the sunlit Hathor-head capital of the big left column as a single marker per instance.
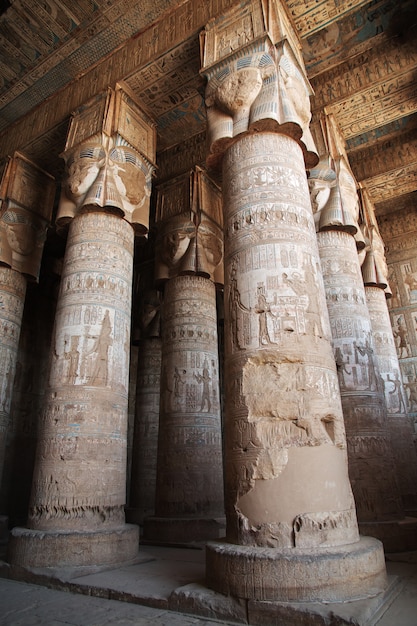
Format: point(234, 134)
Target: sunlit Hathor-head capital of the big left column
point(109, 157)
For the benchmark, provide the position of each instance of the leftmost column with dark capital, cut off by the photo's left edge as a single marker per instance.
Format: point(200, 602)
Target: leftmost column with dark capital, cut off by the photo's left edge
point(26, 196)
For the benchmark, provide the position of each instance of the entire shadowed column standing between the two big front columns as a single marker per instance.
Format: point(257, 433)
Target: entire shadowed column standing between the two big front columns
point(189, 503)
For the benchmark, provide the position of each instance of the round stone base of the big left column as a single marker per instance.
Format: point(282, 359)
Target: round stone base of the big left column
point(37, 548)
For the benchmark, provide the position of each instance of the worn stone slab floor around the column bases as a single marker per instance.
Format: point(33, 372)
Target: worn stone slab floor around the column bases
point(165, 586)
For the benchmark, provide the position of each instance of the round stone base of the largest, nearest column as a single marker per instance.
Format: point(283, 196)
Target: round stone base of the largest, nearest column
point(334, 574)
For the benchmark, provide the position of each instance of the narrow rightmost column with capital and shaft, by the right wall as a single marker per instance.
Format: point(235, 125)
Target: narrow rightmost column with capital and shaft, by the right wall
point(375, 277)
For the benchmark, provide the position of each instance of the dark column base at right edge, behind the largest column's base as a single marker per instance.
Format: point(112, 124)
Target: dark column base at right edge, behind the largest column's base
point(395, 535)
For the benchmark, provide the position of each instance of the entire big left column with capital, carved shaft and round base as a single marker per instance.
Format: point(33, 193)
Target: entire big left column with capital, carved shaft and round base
point(76, 514)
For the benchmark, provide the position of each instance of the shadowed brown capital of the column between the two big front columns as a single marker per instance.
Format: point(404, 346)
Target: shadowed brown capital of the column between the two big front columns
point(190, 236)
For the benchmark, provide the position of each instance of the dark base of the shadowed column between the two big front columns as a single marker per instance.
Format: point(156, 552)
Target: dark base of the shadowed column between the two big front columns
point(183, 530)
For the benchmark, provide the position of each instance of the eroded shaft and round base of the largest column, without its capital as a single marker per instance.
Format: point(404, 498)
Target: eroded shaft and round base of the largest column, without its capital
point(287, 488)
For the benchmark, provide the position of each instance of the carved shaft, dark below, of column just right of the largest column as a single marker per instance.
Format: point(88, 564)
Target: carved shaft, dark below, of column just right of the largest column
point(371, 463)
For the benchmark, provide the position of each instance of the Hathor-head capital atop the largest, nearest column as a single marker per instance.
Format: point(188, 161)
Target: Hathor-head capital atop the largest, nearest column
point(256, 79)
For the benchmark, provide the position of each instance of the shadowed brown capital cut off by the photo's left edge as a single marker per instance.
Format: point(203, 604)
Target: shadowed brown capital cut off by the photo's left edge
point(27, 196)
